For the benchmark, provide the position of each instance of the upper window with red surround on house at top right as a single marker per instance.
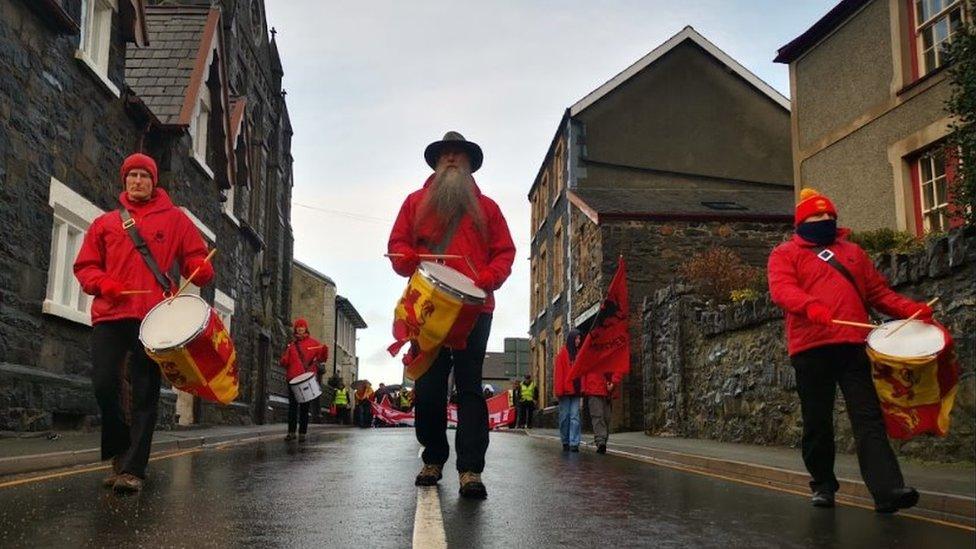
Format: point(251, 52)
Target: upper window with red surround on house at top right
point(936, 22)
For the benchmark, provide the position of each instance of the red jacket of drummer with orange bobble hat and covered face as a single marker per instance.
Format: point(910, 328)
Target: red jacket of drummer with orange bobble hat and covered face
point(797, 277)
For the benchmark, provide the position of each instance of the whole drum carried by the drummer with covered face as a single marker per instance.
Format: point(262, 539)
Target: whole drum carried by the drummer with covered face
point(910, 377)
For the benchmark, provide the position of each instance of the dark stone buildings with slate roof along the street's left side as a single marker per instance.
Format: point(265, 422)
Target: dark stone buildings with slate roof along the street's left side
point(85, 83)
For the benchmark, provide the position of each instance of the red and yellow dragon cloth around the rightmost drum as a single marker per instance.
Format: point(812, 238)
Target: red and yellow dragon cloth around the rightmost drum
point(916, 395)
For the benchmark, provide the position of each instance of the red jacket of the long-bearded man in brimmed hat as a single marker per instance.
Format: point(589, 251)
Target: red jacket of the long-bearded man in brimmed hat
point(493, 254)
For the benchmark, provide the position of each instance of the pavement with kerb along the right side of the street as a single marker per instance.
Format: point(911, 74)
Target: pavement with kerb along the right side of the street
point(948, 490)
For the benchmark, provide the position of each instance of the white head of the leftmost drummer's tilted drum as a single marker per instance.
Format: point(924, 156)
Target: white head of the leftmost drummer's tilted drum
point(171, 324)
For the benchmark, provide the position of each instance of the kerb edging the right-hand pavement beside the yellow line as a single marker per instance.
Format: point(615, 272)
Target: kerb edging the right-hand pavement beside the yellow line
point(952, 508)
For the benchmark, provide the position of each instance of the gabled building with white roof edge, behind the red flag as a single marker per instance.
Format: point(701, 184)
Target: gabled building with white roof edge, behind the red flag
point(683, 150)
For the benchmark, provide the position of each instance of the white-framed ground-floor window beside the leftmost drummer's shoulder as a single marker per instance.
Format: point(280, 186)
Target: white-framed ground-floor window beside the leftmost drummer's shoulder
point(73, 213)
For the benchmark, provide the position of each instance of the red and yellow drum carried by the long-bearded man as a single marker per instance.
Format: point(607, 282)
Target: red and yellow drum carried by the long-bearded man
point(439, 308)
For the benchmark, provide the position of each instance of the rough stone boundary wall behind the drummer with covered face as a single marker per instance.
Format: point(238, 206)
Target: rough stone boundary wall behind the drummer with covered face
point(724, 374)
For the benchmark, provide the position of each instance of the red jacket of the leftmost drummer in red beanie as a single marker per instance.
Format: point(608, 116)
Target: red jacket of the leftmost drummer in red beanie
point(108, 251)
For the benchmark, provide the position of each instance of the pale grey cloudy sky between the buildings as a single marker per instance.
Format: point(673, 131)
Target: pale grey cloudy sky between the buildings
point(371, 83)
